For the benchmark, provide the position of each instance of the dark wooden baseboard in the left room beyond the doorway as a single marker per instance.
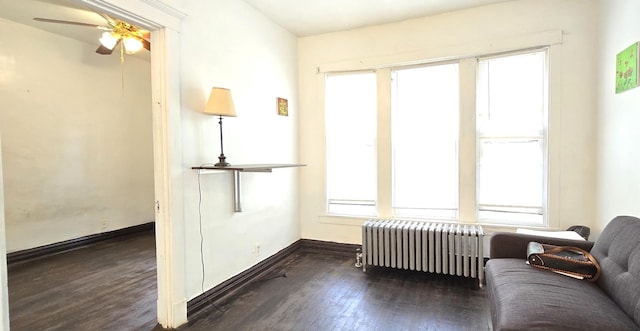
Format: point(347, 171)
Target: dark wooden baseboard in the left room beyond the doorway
point(67, 245)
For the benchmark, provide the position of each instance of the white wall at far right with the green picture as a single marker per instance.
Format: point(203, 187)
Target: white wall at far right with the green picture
point(618, 134)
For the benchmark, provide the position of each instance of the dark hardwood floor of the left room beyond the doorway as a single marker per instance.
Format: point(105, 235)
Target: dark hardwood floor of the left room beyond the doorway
point(110, 285)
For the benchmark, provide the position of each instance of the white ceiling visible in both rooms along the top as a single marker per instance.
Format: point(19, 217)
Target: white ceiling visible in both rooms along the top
point(300, 17)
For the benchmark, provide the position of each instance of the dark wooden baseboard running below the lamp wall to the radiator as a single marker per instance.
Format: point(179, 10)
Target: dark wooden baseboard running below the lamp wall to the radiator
point(237, 283)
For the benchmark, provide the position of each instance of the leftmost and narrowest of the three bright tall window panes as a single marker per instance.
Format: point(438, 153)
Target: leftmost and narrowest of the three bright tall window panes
point(351, 110)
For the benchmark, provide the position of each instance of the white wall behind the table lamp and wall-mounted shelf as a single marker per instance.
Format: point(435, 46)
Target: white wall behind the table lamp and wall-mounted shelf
point(229, 44)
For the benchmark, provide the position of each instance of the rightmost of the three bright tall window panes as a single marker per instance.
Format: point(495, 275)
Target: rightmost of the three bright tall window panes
point(511, 124)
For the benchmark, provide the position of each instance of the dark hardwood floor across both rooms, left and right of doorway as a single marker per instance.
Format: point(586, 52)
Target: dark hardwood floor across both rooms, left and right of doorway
point(112, 286)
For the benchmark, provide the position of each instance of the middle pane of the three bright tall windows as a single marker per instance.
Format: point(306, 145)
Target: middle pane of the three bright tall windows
point(425, 110)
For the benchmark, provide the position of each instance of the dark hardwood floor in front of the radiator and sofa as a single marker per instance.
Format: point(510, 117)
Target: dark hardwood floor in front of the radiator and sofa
point(312, 291)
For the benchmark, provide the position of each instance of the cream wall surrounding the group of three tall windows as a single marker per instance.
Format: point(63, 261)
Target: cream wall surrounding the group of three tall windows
point(476, 31)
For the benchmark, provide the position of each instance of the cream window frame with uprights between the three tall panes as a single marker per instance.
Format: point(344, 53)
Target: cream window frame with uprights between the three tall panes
point(467, 208)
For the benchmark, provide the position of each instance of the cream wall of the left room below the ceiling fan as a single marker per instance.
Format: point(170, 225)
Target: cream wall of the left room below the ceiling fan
point(77, 152)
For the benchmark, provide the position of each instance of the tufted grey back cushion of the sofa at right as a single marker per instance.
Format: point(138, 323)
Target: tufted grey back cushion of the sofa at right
point(618, 252)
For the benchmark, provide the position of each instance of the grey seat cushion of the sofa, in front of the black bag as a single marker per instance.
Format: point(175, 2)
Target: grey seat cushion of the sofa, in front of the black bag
point(524, 298)
